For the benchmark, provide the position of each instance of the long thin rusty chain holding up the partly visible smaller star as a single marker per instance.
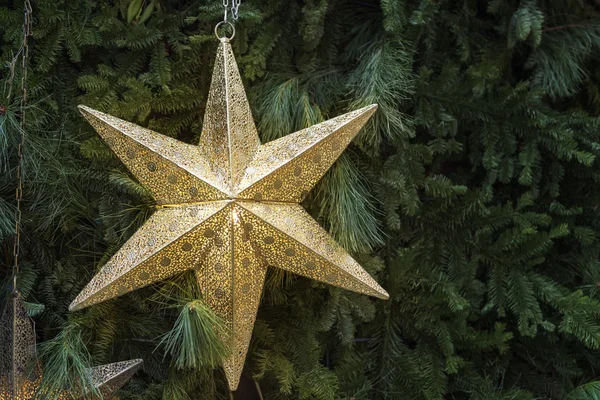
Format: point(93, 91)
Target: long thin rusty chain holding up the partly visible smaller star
point(27, 28)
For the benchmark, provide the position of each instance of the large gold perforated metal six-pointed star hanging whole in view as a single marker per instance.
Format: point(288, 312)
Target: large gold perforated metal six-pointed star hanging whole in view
point(228, 208)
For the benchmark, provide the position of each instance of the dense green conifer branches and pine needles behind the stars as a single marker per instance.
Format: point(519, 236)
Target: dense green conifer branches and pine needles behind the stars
point(472, 195)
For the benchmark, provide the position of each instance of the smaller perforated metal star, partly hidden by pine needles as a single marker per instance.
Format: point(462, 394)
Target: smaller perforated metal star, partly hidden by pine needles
point(21, 375)
